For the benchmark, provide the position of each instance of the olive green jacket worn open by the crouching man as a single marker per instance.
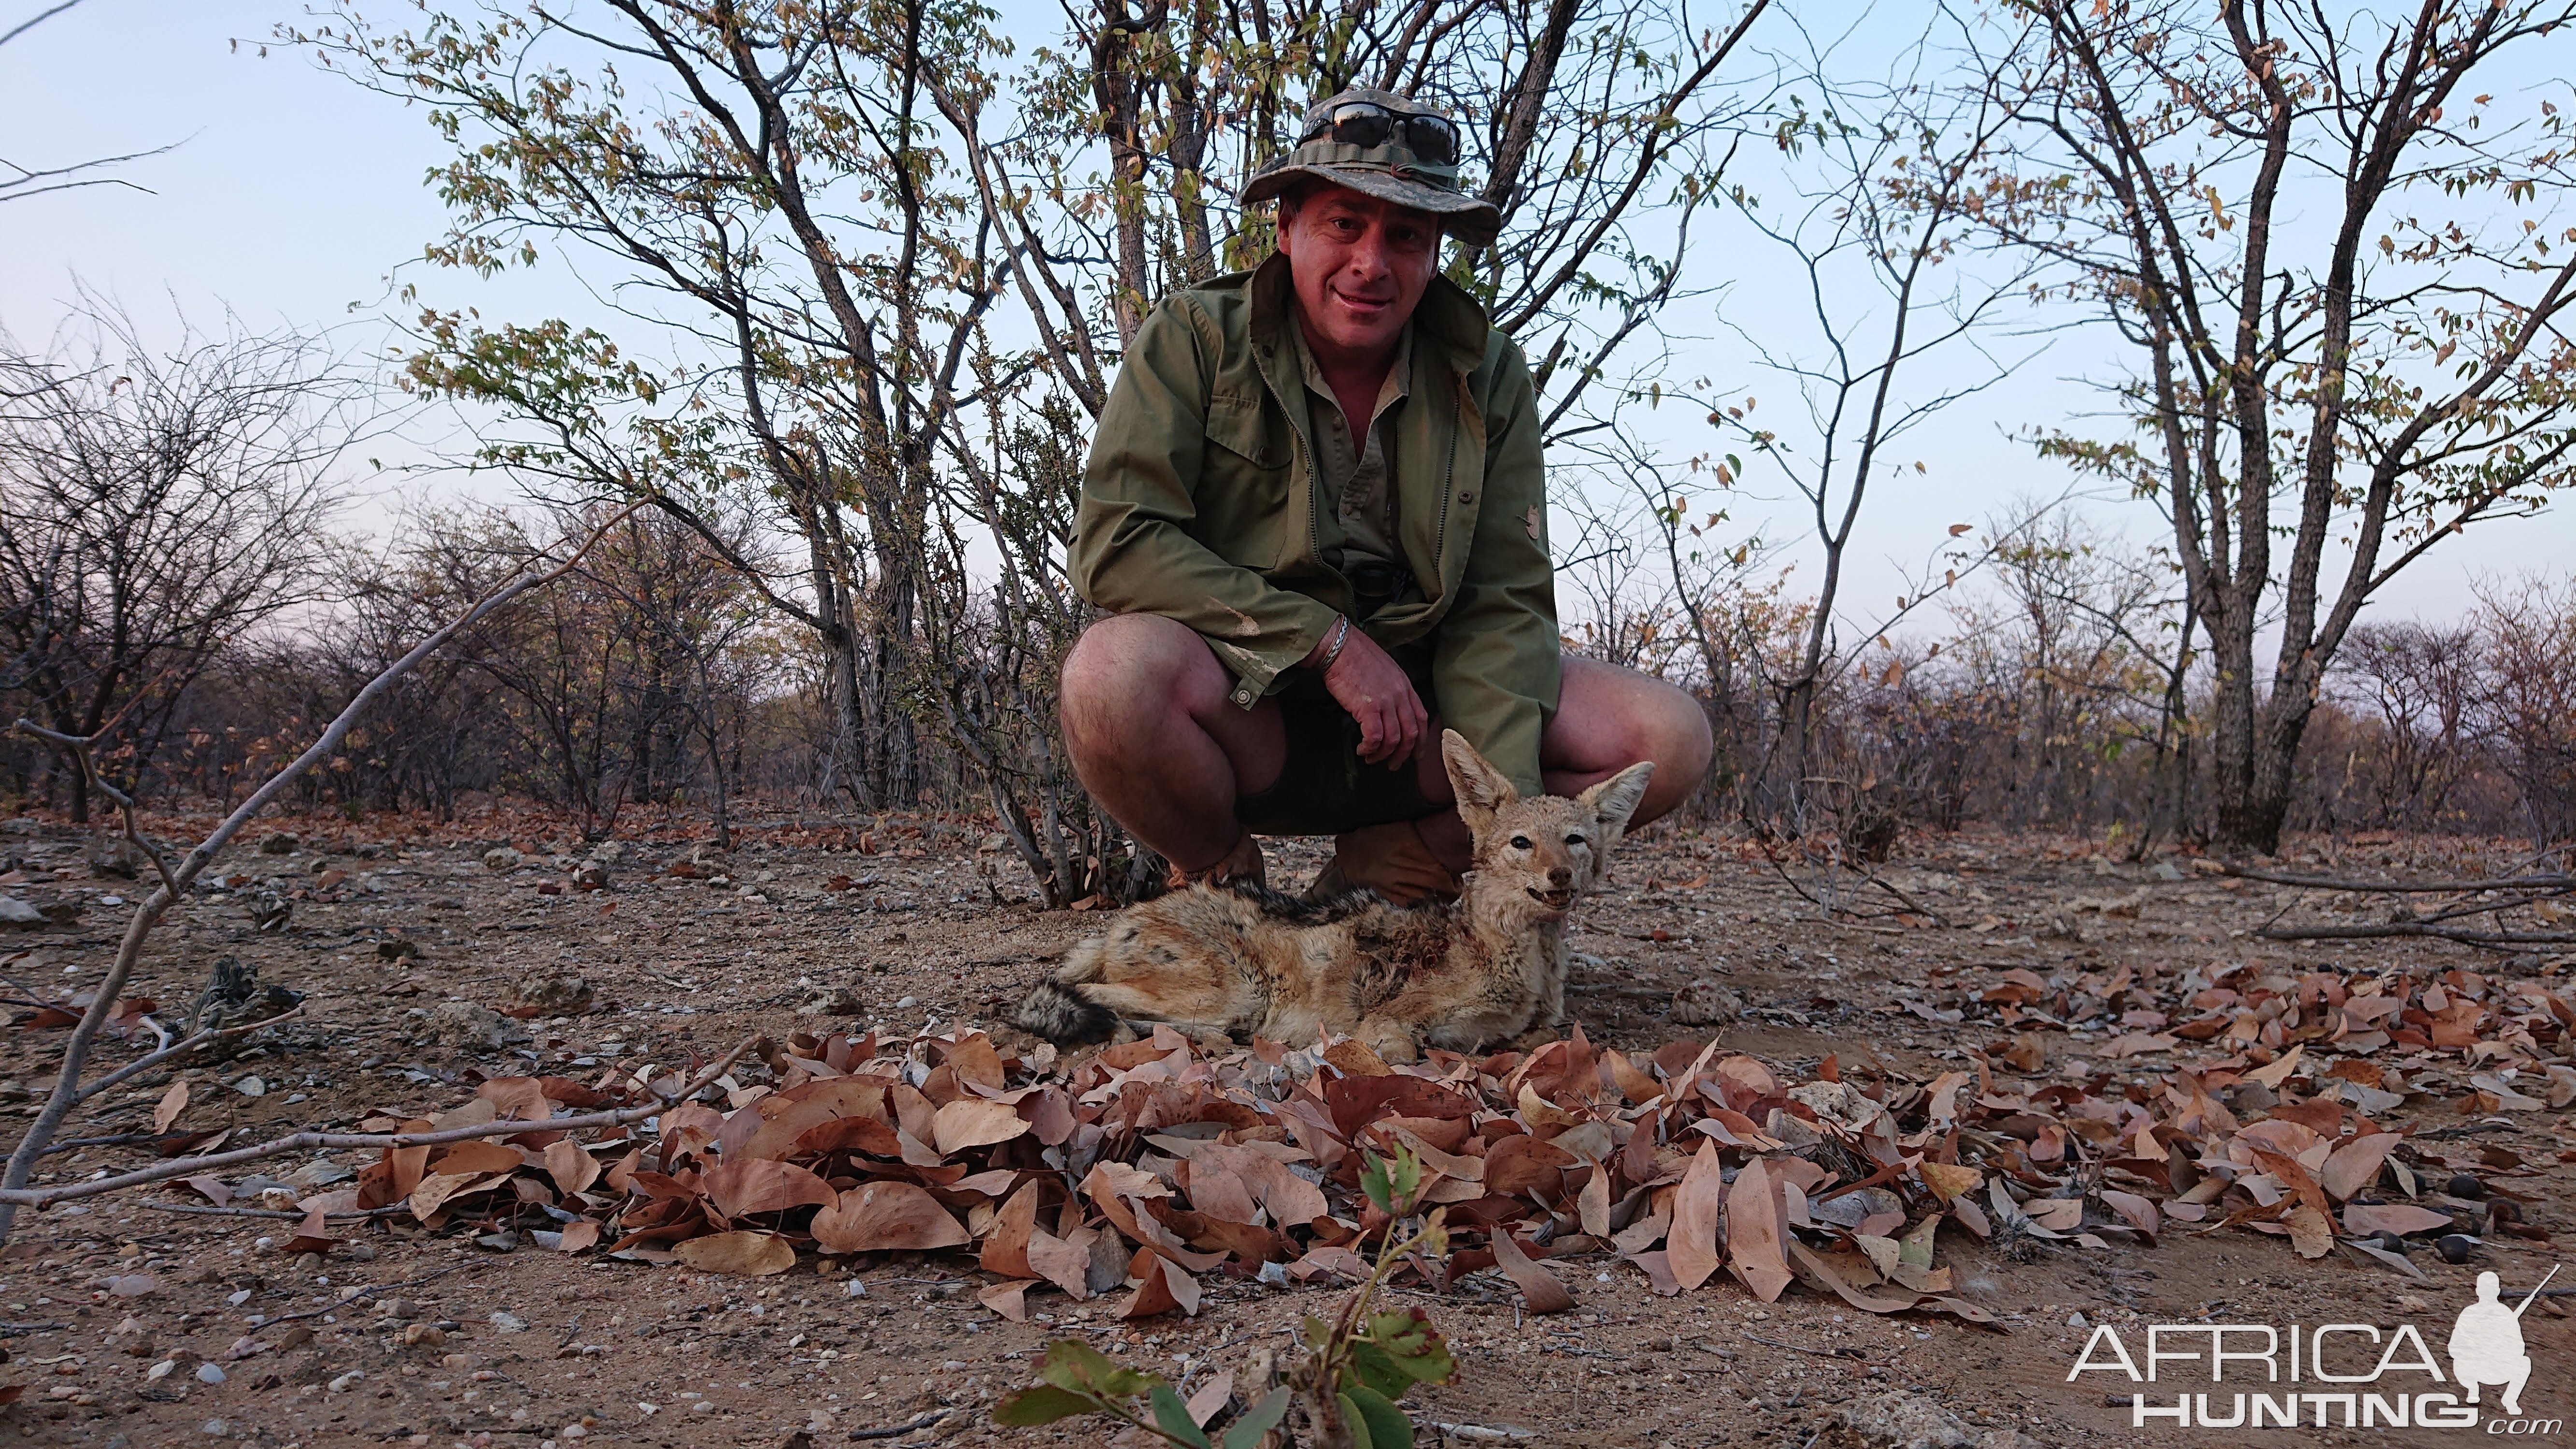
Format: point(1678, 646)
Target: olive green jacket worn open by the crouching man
point(1199, 503)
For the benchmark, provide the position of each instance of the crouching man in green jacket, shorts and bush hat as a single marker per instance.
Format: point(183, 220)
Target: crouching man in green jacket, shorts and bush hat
point(1318, 516)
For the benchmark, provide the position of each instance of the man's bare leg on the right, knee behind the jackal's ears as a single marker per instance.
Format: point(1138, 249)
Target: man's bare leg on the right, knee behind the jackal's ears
point(1606, 722)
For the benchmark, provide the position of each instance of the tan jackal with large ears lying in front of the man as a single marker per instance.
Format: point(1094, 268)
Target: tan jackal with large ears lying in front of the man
point(1238, 961)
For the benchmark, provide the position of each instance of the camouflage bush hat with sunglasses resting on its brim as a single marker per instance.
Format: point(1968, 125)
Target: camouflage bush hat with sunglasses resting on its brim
point(1382, 145)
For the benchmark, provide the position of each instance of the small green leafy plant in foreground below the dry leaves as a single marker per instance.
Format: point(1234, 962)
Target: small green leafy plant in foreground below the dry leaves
point(1343, 1391)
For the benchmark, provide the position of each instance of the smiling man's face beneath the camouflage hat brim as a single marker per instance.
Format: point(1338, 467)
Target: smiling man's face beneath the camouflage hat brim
point(1361, 269)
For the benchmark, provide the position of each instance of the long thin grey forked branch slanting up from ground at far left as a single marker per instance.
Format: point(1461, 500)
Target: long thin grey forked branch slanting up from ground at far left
point(174, 881)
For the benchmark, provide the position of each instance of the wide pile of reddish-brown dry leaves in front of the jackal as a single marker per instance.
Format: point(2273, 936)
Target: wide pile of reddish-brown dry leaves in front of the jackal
point(1148, 1167)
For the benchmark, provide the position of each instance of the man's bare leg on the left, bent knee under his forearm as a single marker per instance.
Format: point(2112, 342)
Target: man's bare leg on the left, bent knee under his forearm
point(1160, 745)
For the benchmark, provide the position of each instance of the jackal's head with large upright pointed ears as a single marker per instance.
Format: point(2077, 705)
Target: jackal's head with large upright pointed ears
point(1537, 856)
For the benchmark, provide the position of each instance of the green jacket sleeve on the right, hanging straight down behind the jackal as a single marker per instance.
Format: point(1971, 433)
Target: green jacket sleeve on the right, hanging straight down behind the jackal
point(1498, 663)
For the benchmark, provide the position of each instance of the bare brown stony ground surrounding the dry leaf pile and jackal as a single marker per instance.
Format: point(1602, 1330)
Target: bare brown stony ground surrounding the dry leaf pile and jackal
point(437, 956)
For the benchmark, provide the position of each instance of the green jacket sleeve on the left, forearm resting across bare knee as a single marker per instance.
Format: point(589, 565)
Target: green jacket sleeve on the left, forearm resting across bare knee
point(1132, 531)
